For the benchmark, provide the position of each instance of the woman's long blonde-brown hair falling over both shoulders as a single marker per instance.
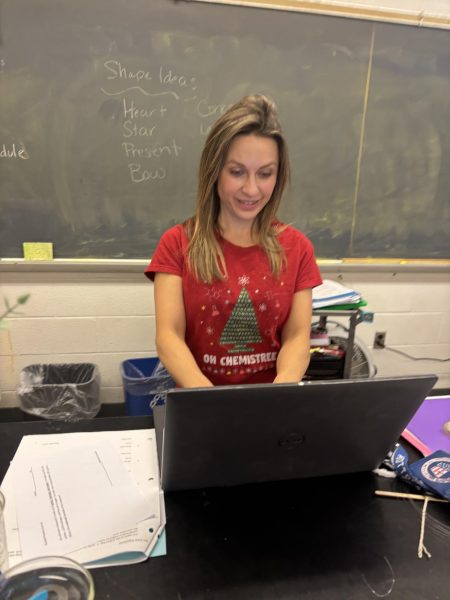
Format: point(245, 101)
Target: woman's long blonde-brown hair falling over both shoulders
point(256, 115)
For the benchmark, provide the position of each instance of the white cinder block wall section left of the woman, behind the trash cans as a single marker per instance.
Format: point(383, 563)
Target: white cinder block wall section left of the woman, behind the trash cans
point(76, 317)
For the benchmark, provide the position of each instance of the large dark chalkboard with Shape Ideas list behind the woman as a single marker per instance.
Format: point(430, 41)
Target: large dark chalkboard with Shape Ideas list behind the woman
point(105, 105)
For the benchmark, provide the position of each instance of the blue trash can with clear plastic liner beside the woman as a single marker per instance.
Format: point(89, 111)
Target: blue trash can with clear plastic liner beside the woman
point(143, 389)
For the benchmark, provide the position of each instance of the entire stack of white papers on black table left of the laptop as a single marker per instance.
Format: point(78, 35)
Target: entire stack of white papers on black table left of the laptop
point(91, 496)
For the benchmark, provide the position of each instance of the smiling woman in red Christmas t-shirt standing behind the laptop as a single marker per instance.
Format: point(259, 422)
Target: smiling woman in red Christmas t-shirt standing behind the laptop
point(233, 284)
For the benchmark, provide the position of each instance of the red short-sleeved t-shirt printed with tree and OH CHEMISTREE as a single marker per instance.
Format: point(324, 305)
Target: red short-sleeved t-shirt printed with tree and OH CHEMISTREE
point(233, 327)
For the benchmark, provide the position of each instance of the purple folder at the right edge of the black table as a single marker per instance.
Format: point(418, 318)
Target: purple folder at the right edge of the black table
point(426, 430)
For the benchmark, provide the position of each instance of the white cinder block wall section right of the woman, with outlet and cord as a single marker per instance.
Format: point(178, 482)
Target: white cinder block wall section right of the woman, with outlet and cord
point(414, 311)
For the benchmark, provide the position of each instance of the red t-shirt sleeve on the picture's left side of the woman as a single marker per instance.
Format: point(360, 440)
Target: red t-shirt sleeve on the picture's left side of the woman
point(169, 256)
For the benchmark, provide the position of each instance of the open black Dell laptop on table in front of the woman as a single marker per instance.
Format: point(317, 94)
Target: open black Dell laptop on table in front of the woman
point(232, 435)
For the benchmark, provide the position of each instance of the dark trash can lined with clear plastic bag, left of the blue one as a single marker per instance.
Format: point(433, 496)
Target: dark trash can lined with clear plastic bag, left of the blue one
point(64, 392)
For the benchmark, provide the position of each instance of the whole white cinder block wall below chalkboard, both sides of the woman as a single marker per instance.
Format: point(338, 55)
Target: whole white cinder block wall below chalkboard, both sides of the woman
point(105, 318)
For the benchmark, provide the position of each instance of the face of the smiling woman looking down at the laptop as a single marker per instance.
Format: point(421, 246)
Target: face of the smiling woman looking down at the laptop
point(247, 180)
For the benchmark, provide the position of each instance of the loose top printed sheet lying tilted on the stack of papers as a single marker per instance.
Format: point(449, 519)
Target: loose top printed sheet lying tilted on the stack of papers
point(73, 498)
